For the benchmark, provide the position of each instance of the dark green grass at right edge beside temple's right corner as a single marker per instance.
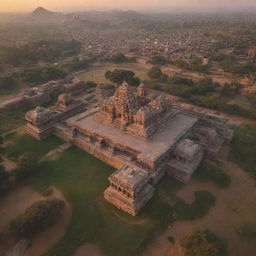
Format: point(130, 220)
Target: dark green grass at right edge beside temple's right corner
point(243, 148)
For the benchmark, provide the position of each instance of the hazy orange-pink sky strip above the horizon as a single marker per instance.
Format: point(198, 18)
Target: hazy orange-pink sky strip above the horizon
point(59, 5)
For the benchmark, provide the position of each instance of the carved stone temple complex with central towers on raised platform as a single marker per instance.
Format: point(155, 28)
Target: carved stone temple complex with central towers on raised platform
point(142, 135)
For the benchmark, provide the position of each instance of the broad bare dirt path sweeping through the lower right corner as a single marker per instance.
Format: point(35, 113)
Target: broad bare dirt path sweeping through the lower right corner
point(235, 207)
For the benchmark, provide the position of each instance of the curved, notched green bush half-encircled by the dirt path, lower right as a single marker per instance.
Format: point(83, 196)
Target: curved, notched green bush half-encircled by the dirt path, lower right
point(204, 200)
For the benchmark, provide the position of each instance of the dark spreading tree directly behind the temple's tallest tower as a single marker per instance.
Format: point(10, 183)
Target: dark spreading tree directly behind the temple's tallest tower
point(119, 76)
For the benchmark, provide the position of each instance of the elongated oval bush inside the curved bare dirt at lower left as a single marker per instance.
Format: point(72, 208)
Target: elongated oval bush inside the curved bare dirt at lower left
point(37, 217)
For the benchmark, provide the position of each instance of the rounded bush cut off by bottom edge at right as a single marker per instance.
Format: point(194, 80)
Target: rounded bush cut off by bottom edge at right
point(204, 243)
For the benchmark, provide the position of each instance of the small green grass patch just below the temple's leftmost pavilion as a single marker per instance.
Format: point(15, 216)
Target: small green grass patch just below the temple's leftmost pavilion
point(26, 143)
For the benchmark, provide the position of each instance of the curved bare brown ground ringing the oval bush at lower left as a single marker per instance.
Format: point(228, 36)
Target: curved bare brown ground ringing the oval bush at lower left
point(15, 203)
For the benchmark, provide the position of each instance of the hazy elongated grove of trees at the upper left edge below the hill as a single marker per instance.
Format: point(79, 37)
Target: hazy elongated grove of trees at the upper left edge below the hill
point(46, 51)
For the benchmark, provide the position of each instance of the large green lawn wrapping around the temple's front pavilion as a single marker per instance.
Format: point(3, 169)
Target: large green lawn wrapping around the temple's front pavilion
point(82, 180)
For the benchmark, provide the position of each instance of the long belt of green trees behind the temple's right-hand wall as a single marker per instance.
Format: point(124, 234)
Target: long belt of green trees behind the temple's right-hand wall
point(204, 93)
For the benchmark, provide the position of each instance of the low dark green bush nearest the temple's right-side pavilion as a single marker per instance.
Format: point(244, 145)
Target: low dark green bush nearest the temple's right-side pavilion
point(208, 172)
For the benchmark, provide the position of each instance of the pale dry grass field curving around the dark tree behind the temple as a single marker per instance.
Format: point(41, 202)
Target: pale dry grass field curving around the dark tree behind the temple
point(97, 74)
